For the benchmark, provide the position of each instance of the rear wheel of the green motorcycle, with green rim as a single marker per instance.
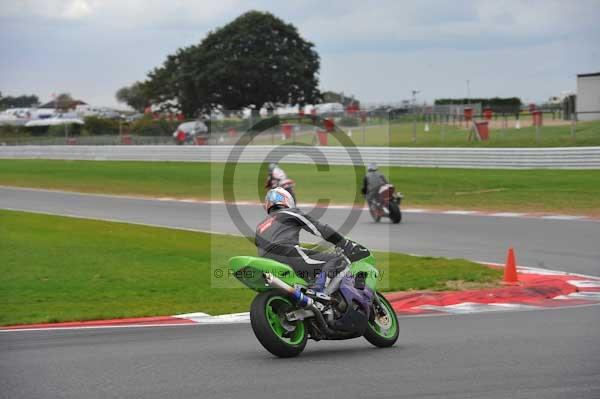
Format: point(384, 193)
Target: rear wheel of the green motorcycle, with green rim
point(274, 332)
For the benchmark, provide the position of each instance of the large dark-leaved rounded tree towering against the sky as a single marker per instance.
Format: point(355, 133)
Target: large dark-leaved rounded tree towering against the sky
point(256, 59)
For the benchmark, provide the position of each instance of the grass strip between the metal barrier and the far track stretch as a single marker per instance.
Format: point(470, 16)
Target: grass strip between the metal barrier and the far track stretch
point(562, 191)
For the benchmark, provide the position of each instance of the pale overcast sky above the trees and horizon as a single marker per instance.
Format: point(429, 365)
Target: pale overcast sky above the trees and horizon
point(378, 51)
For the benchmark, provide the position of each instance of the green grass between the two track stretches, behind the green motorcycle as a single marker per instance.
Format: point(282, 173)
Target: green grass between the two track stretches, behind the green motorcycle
point(63, 269)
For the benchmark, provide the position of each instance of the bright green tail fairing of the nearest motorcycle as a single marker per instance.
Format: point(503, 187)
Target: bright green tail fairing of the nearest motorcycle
point(249, 270)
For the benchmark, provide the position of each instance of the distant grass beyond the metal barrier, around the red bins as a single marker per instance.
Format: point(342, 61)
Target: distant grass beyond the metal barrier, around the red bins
point(401, 135)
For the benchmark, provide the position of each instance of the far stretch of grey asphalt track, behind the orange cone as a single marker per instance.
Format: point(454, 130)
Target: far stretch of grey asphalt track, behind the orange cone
point(570, 245)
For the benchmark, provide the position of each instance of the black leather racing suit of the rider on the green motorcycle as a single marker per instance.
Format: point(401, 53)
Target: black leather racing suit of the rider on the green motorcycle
point(278, 238)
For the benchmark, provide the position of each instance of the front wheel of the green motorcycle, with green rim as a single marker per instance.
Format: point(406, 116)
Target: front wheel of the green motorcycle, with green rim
point(382, 329)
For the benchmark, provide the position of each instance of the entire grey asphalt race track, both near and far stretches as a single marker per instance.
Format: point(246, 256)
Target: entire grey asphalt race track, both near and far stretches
point(552, 353)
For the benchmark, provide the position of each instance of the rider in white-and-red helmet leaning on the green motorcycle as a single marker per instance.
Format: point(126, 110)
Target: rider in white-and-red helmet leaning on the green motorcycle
point(278, 238)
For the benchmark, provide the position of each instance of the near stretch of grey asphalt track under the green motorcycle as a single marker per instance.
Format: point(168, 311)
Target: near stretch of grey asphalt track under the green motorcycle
point(543, 354)
